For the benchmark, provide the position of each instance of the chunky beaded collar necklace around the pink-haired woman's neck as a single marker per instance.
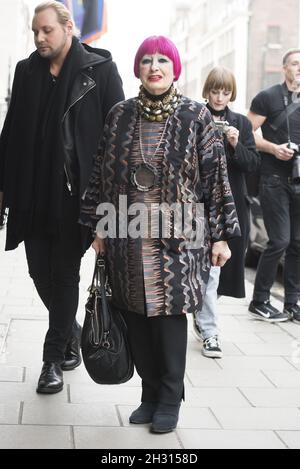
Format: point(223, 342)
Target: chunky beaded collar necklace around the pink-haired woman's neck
point(160, 109)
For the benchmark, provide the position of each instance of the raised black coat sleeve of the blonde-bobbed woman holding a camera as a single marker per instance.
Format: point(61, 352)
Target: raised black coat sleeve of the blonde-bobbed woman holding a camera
point(244, 157)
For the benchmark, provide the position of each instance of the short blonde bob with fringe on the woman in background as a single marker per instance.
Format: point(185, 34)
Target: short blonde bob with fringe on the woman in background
point(220, 78)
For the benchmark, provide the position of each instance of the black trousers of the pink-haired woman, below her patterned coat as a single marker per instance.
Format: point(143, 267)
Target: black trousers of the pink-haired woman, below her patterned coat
point(159, 352)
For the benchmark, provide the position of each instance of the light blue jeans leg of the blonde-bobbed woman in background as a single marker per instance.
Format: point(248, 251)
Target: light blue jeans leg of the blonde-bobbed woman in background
point(206, 319)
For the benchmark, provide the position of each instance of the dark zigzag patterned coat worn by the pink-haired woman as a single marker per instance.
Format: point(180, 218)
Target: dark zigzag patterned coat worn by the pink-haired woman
point(162, 275)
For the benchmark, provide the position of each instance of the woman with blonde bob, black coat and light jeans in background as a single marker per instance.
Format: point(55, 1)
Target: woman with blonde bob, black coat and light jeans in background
point(242, 158)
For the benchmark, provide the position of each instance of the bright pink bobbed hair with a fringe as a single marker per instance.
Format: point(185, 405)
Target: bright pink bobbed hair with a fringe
point(161, 45)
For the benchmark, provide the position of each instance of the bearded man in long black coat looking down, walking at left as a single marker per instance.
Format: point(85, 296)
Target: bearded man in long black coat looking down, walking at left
point(60, 98)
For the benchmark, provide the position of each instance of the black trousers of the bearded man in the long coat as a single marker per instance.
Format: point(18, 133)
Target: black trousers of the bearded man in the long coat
point(54, 265)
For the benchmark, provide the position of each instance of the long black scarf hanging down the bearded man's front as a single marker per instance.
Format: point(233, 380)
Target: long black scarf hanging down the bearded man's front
point(40, 173)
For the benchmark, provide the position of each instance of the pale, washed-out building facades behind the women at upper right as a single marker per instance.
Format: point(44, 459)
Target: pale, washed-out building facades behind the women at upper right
point(247, 36)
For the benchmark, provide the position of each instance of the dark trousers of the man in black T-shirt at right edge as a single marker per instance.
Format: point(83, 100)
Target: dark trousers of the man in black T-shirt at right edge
point(280, 201)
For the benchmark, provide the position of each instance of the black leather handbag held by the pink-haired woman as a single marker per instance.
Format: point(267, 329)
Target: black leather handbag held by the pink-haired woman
point(105, 349)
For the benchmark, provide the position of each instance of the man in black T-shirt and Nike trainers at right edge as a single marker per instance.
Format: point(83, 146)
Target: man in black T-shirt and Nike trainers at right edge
point(277, 111)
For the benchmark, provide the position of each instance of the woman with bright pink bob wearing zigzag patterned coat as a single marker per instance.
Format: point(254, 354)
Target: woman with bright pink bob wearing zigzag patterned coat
point(161, 151)
